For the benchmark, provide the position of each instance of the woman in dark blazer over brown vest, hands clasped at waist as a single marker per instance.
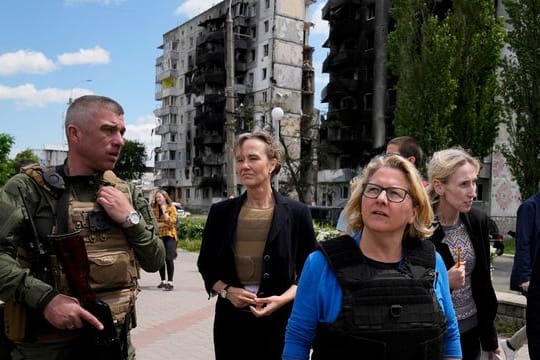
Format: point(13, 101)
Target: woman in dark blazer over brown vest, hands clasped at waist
point(252, 252)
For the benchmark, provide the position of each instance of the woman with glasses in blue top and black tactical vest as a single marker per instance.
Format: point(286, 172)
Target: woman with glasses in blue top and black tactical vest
point(350, 285)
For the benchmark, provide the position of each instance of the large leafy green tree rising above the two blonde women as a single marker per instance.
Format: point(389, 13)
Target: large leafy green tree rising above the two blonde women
point(446, 60)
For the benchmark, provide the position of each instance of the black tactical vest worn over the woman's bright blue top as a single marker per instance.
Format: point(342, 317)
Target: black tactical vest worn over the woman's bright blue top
point(385, 314)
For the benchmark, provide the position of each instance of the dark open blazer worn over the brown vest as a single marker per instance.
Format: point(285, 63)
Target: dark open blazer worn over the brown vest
point(290, 240)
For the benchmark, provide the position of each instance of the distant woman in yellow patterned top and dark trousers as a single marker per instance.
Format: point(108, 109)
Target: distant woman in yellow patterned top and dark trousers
point(165, 213)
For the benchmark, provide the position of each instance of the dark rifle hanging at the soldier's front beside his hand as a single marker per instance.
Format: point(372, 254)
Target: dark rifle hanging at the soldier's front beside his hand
point(102, 344)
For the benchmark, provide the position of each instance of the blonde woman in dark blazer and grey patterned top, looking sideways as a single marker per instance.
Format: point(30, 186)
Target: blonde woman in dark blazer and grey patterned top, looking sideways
point(462, 239)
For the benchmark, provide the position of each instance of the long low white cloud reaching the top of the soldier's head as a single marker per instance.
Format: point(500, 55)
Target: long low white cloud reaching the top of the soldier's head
point(28, 96)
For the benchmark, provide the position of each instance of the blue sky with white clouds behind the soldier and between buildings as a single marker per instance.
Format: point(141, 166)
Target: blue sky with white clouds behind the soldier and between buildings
point(56, 49)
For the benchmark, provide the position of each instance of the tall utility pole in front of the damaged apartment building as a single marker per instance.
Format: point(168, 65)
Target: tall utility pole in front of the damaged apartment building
point(230, 127)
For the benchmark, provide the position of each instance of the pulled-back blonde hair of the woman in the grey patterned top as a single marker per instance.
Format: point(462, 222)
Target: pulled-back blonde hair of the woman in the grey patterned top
point(444, 164)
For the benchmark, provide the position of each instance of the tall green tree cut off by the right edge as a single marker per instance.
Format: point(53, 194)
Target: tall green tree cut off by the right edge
point(521, 92)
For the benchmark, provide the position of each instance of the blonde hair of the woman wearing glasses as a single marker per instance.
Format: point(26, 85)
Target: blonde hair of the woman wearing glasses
point(422, 226)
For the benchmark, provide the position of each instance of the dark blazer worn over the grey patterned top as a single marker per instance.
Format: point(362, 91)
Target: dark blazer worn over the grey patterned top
point(476, 223)
